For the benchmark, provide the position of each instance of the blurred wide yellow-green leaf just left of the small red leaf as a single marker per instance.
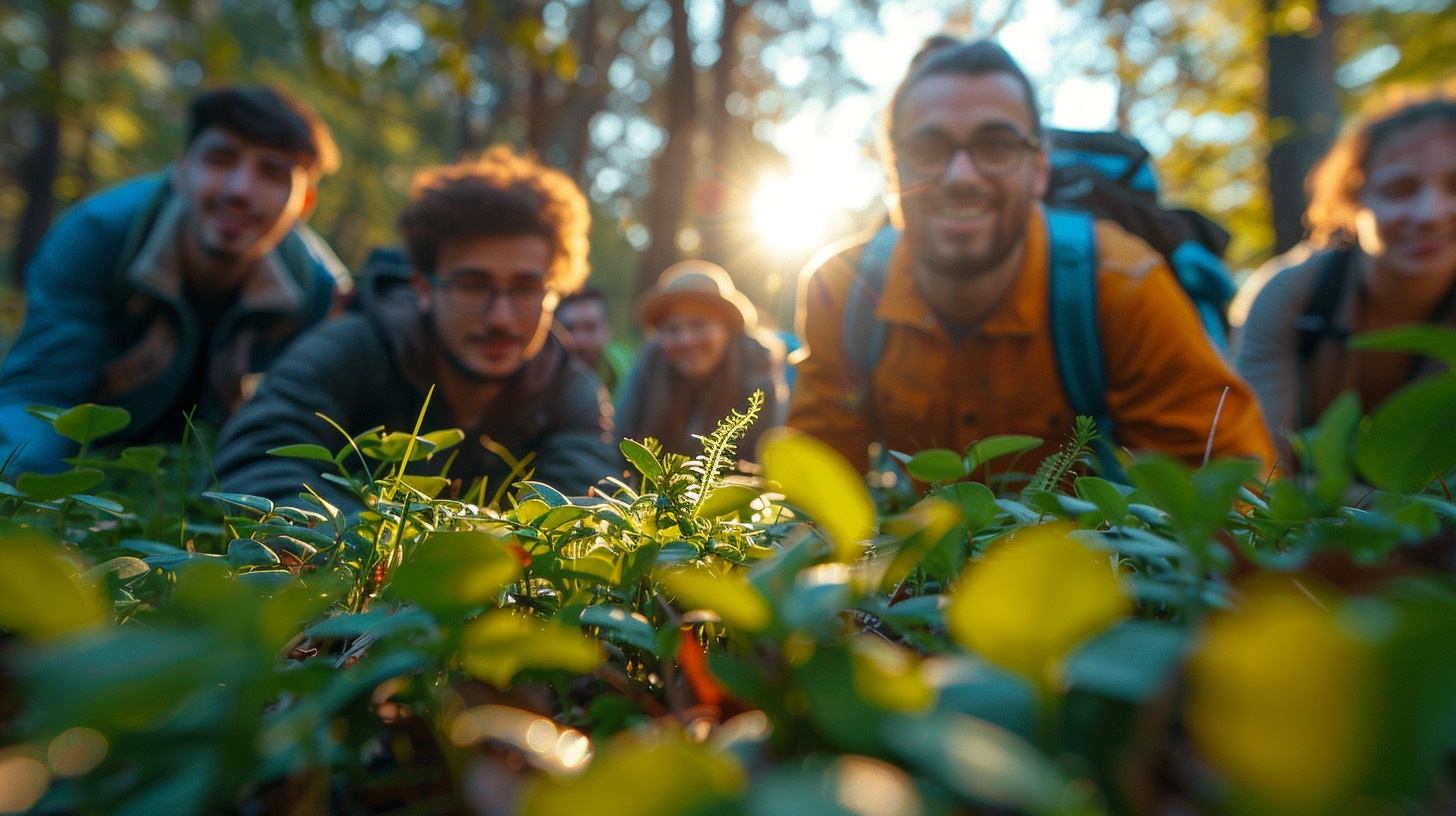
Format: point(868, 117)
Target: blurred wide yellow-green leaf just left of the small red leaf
point(500, 645)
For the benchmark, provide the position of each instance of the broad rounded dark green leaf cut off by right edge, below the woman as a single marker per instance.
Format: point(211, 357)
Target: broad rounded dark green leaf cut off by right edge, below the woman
point(1409, 441)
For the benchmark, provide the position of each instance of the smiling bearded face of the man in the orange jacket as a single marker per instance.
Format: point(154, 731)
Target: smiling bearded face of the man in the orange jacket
point(963, 222)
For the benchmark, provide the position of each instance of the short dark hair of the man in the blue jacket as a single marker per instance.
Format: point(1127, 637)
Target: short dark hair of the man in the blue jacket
point(267, 117)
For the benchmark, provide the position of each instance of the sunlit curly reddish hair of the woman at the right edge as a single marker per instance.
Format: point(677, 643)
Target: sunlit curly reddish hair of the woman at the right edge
point(1337, 181)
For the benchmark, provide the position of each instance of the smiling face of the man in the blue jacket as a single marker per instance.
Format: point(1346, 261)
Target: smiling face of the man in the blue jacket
point(242, 197)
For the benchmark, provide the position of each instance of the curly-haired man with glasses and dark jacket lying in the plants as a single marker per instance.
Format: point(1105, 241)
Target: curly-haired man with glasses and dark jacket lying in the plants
point(491, 247)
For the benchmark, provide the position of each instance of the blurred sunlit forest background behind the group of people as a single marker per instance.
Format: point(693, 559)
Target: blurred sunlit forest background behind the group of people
point(723, 129)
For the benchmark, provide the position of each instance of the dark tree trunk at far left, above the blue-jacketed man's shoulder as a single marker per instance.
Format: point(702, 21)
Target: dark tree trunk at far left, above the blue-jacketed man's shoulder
point(43, 164)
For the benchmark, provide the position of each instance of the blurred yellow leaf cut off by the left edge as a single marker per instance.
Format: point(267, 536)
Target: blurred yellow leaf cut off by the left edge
point(40, 597)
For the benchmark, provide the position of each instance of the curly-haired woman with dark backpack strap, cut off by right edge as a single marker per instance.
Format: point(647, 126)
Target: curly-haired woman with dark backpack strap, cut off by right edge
point(1382, 253)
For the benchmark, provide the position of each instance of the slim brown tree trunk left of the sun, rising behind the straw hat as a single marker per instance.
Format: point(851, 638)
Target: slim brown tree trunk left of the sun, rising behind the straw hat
point(672, 173)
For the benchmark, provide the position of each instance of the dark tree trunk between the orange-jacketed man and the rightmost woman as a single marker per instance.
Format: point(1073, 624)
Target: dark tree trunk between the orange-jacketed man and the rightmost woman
point(1304, 110)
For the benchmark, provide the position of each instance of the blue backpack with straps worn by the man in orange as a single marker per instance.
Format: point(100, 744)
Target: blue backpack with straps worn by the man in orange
point(1096, 176)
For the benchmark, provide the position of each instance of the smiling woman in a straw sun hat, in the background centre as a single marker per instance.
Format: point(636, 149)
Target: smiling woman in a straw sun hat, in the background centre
point(704, 359)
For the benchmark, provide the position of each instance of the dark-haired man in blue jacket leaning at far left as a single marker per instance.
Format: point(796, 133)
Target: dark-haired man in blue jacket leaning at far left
point(174, 292)
